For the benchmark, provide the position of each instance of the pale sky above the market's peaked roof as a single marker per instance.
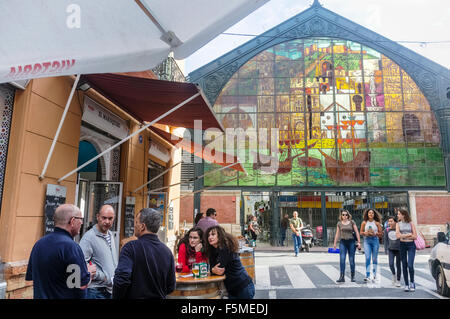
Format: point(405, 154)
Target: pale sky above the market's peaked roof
point(397, 20)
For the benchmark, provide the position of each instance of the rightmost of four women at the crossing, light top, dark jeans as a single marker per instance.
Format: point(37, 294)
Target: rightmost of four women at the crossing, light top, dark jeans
point(406, 232)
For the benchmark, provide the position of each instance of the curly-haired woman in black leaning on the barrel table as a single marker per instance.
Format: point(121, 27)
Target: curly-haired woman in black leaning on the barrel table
point(222, 251)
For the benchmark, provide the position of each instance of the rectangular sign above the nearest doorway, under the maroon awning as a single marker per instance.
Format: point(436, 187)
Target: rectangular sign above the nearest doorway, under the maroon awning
point(103, 119)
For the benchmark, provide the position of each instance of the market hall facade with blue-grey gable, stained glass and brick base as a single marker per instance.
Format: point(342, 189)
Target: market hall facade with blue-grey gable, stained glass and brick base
point(362, 122)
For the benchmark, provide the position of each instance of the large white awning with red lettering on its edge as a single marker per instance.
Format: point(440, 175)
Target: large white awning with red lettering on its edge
point(43, 38)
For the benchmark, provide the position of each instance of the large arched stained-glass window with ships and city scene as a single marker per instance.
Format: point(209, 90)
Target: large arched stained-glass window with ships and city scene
point(346, 114)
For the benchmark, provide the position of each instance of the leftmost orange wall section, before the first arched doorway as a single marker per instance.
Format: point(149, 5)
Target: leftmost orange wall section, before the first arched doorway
point(36, 116)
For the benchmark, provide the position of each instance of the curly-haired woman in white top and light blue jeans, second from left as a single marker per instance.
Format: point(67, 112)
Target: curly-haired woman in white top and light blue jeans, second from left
point(371, 230)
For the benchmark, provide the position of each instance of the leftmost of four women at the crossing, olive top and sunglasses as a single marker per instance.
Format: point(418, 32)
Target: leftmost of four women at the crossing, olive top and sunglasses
point(344, 230)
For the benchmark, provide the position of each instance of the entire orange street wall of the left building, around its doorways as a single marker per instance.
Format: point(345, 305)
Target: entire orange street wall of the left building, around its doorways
point(37, 112)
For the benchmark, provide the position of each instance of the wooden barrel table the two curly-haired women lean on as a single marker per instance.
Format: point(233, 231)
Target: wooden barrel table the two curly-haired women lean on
point(198, 288)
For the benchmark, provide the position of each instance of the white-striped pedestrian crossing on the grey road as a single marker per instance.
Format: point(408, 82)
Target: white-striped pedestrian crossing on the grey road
point(292, 276)
